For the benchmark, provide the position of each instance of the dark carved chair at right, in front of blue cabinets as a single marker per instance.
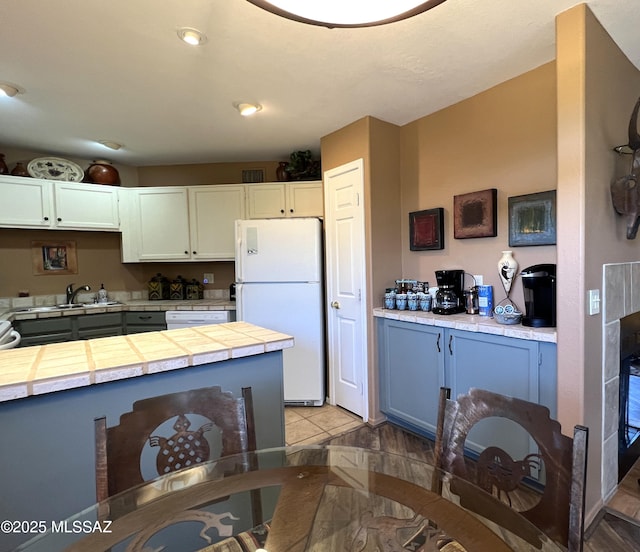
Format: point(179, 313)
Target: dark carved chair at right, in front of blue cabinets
point(559, 510)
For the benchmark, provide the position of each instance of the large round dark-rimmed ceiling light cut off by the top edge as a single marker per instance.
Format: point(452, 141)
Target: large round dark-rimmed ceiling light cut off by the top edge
point(346, 13)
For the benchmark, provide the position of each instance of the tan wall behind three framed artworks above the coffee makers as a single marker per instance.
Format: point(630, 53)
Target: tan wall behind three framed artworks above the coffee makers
point(504, 138)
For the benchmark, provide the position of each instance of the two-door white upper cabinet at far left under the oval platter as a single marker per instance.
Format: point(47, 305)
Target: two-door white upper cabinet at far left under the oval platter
point(37, 203)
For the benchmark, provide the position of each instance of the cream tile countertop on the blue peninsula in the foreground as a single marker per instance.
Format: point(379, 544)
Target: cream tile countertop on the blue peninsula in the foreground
point(48, 368)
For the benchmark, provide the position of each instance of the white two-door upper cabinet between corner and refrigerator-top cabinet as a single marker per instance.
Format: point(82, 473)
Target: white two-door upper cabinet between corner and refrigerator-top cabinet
point(187, 223)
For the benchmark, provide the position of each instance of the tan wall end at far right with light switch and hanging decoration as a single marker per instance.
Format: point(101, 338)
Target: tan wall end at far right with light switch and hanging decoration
point(597, 88)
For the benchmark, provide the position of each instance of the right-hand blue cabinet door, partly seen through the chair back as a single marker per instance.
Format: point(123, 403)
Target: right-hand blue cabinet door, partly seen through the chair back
point(500, 364)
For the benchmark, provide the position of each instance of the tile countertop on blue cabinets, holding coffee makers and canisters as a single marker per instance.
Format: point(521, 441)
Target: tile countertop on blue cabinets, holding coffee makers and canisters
point(470, 323)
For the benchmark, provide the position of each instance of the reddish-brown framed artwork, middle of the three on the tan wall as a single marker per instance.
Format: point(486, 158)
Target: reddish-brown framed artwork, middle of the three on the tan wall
point(475, 215)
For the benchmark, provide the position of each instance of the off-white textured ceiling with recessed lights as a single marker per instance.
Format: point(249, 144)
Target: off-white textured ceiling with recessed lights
point(115, 70)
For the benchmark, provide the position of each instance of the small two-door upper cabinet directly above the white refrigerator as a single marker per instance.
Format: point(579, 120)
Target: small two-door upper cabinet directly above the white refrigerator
point(290, 199)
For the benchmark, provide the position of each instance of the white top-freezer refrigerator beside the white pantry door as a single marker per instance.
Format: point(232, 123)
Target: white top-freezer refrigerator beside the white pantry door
point(279, 285)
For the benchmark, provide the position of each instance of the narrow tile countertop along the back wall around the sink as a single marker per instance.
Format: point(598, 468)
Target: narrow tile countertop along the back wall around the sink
point(133, 305)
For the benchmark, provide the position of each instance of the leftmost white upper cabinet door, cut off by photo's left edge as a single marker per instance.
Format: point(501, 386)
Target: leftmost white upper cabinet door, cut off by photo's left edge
point(25, 202)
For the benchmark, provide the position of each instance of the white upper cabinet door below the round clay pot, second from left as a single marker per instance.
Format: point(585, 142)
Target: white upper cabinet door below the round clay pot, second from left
point(86, 206)
